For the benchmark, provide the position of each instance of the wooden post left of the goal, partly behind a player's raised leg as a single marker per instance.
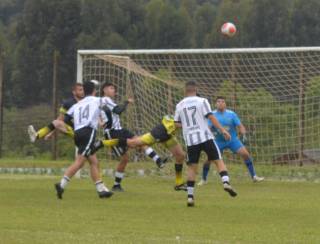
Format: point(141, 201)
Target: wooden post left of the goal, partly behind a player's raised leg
point(55, 102)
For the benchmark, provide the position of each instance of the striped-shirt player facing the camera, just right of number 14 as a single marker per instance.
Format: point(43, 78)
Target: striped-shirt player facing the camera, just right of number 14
point(114, 130)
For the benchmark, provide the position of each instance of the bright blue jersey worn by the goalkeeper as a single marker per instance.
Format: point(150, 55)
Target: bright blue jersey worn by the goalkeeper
point(228, 120)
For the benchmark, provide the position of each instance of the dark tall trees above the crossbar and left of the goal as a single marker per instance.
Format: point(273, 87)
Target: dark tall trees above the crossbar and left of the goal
point(30, 30)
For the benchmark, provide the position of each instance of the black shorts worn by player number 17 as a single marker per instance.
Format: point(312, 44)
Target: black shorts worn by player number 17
point(209, 147)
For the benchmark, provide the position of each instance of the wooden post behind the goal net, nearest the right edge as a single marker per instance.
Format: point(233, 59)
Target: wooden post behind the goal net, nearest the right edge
point(302, 88)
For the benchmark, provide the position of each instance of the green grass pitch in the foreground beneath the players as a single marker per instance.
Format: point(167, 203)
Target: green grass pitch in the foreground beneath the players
point(151, 212)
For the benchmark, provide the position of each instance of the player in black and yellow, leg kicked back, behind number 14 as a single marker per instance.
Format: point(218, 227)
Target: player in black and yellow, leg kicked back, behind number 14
point(47, 131)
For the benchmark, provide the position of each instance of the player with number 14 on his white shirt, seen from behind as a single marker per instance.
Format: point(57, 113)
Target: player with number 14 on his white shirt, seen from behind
point(85, 115)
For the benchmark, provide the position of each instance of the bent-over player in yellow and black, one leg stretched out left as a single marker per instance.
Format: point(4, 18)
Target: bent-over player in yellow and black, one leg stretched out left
point(162, 133)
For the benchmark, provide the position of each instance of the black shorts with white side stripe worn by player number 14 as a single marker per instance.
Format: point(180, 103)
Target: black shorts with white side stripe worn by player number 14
point(84, 139)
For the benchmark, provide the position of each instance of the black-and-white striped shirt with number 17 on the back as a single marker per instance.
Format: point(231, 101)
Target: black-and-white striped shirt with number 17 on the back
point(192, 113)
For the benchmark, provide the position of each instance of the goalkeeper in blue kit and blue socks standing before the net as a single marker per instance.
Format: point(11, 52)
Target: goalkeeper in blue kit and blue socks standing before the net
point(231, 122)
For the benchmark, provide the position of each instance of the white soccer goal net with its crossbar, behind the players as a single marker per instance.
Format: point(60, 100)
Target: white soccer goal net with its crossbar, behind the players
point(275, 91)
